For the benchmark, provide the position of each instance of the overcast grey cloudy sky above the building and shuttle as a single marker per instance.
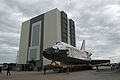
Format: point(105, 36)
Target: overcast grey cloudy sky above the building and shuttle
point(97, 22)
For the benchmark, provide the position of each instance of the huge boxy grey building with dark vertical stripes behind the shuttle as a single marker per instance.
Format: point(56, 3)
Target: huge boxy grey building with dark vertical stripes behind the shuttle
point(41, 32)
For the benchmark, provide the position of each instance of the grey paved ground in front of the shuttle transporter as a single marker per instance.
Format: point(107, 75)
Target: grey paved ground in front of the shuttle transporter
point(102, 74)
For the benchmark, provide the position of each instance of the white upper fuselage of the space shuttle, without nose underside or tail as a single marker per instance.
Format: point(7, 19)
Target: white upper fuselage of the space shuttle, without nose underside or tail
point(73, 51)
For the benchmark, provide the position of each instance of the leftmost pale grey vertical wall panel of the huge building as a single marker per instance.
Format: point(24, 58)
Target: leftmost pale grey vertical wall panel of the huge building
point(23, 48)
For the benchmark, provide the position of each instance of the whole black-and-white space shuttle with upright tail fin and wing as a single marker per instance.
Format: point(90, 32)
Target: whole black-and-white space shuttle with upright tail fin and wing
point(69, 54)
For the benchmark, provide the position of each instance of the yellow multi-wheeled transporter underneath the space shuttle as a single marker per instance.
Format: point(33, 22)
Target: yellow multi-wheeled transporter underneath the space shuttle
point(67, 68)
